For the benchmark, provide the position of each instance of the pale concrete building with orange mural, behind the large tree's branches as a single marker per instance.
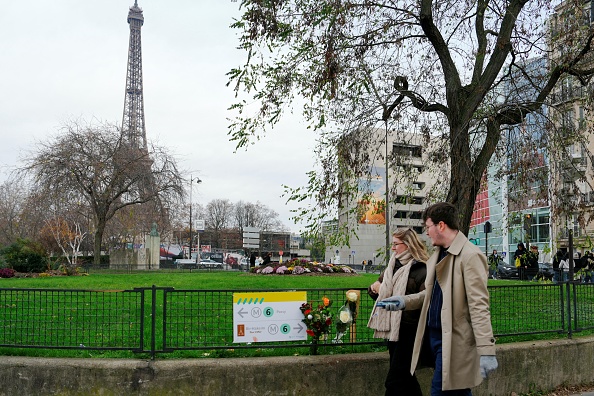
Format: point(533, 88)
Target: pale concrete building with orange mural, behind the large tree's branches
point(404, 186)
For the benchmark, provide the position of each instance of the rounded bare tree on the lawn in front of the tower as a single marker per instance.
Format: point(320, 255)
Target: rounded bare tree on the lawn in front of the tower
point(96, 164)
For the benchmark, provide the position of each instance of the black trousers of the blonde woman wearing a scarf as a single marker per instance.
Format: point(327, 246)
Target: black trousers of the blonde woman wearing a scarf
point(399, 380)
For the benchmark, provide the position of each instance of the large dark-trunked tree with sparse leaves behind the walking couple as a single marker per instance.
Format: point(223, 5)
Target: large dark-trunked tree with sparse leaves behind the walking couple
point(438, 68)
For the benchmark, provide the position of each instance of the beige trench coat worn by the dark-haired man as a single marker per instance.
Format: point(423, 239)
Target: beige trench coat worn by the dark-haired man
point(465, 316)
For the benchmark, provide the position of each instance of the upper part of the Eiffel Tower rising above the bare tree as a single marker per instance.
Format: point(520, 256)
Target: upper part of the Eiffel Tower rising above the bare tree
point(133, 119)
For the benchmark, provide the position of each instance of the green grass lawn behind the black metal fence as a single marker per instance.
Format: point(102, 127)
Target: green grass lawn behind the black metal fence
point(510, 310)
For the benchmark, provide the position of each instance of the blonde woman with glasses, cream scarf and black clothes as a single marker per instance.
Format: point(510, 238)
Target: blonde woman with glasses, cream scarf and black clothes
point(405, 274)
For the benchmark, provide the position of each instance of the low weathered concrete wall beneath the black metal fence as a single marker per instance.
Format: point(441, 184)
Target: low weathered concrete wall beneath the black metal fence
point(522, 367)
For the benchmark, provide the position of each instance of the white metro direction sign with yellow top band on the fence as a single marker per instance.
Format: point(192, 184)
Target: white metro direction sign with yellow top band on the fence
point(268, 316)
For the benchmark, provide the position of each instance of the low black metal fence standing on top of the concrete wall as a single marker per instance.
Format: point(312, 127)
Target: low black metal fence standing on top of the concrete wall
point(160, 320)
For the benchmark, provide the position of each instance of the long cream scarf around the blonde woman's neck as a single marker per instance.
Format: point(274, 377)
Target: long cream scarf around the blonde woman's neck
point(387, 323)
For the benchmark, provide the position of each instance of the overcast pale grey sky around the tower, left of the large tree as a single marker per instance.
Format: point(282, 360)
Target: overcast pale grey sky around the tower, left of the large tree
point(66, 59)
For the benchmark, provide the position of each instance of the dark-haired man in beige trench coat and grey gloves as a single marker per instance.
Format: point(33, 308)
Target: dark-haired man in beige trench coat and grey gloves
point(454, 306)
